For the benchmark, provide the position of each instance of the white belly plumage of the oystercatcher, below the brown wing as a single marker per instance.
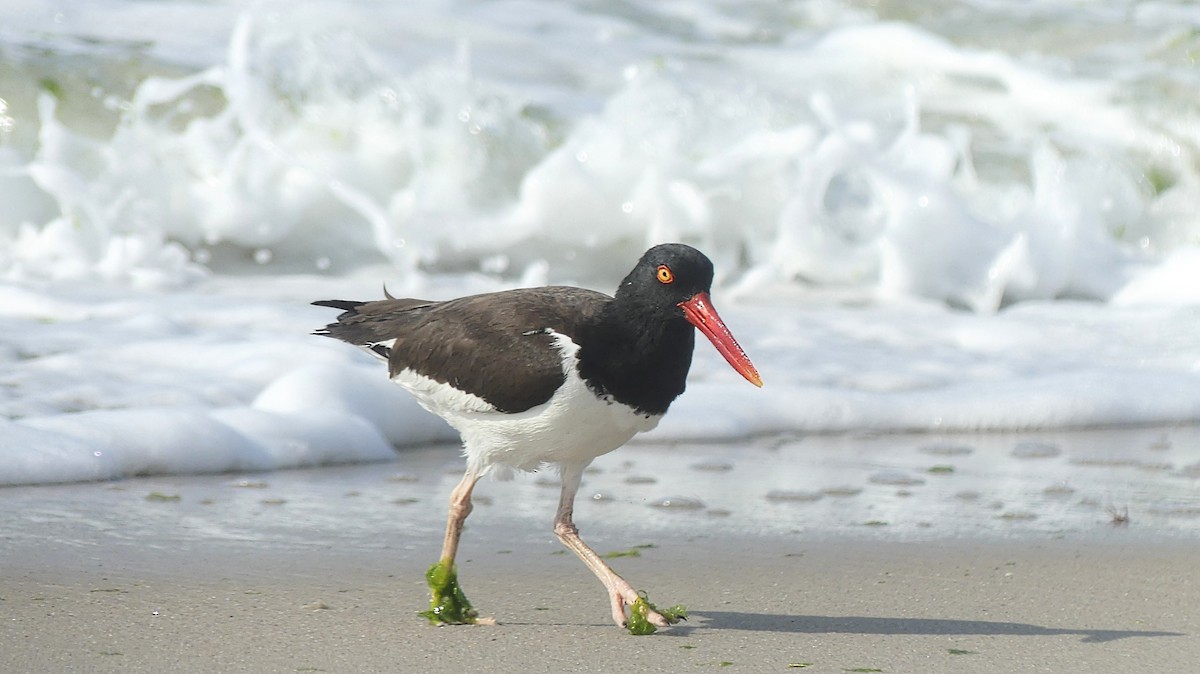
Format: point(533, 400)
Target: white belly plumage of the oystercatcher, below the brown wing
point(574, 426)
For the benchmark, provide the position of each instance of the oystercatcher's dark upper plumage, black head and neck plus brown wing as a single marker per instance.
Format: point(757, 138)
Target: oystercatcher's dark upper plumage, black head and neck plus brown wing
point(635, 347)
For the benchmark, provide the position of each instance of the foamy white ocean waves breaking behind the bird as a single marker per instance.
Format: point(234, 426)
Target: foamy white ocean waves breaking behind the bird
point(927, 218)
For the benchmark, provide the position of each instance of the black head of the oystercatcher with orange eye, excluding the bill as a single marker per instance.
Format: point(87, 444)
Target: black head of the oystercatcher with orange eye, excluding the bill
point(668, 275)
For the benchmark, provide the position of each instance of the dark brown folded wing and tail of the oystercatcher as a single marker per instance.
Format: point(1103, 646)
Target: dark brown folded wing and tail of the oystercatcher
point(494, 346)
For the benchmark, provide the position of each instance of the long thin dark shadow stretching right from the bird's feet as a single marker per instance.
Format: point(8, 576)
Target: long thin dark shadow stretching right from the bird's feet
point(865, 625)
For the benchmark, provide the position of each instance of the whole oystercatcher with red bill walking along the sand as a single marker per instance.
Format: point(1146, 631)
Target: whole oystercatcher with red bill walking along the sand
point(547, 376)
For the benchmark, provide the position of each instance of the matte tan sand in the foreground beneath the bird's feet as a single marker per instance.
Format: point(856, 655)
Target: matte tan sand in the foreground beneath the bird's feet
point(835, 607)
